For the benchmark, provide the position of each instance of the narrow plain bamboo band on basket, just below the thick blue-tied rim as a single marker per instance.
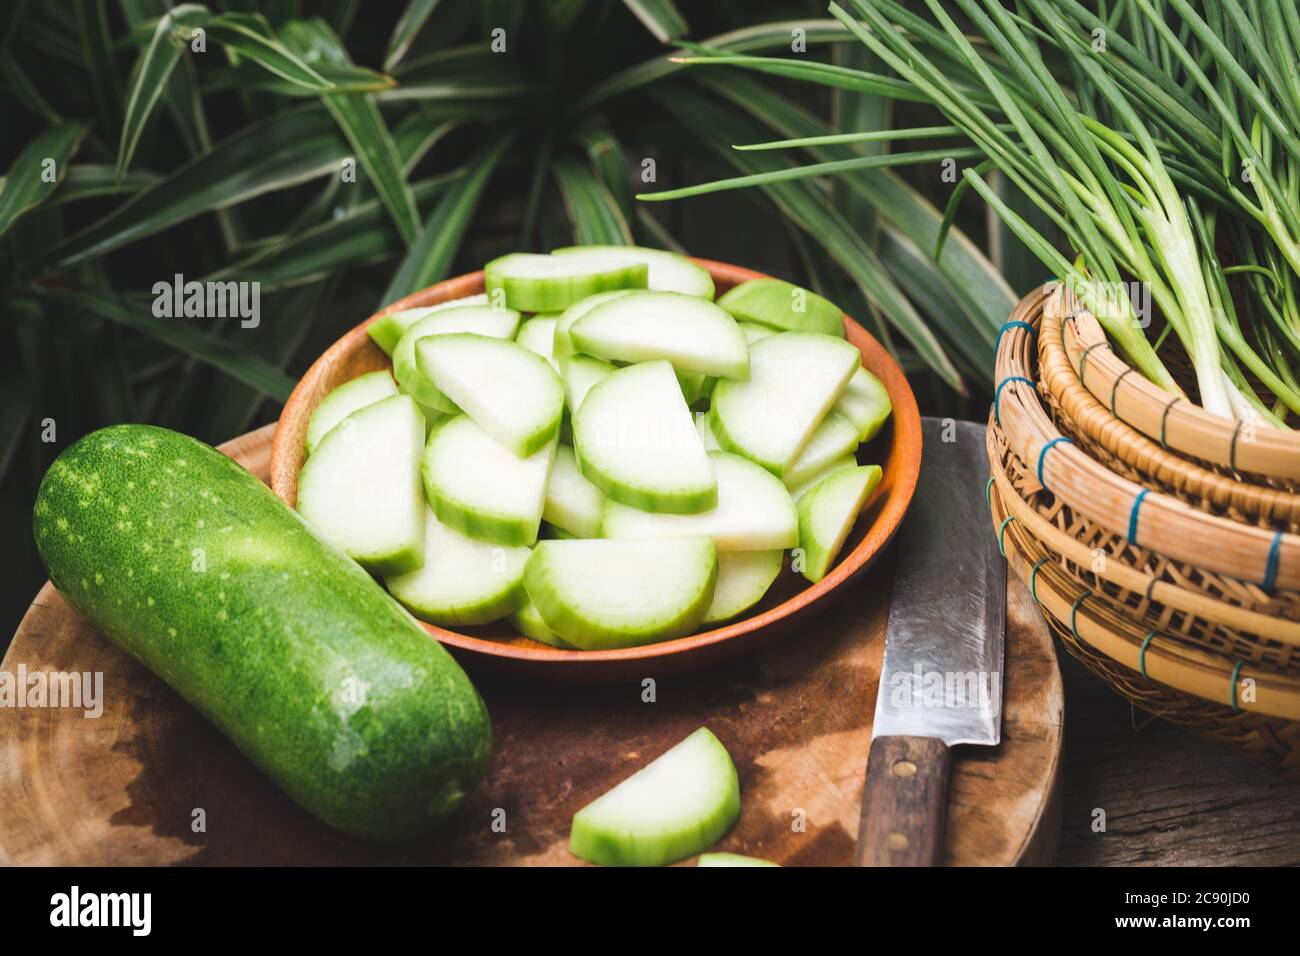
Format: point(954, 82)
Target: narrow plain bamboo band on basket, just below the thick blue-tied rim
point(1129, 578)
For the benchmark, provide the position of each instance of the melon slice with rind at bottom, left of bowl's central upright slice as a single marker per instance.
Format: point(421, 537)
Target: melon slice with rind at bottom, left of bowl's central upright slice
point(483, 490)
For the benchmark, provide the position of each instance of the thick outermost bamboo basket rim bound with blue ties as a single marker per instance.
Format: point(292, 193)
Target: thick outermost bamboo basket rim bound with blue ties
point(1164, 524)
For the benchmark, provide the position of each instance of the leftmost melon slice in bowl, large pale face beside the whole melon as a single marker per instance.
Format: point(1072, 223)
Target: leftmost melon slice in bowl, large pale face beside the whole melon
point(361, 490)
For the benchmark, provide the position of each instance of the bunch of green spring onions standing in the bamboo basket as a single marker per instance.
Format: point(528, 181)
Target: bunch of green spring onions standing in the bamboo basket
point(1120, 162)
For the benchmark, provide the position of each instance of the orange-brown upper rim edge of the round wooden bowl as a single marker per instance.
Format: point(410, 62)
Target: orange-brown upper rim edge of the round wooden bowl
point(905, 457)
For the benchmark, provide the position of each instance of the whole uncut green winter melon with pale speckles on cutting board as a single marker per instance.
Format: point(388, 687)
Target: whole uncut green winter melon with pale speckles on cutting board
point(201, 573)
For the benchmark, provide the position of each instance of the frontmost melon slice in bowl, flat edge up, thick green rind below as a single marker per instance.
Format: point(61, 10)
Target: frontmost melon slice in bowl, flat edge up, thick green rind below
point(599, 594)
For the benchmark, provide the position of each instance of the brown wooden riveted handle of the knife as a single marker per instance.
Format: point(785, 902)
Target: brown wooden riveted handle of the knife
point(904, 803)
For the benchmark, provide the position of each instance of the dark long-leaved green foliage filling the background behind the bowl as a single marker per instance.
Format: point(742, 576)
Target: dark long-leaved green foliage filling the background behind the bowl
point(462, 154)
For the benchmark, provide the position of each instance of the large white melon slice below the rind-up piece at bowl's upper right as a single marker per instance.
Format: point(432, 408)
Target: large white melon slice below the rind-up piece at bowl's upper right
point(795, 379)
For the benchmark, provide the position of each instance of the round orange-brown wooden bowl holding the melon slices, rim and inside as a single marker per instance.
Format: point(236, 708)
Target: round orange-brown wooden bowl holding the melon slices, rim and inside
point(896, 449)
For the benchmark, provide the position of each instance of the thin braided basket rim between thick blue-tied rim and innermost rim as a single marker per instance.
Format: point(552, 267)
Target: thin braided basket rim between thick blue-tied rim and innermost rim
point(1095, 419)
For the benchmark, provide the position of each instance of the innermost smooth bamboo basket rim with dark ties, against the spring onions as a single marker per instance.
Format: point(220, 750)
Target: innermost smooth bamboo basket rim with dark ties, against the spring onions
point(1164, 417)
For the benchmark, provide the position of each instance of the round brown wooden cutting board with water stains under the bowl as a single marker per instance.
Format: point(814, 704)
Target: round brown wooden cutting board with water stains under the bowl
point(150, 782)
